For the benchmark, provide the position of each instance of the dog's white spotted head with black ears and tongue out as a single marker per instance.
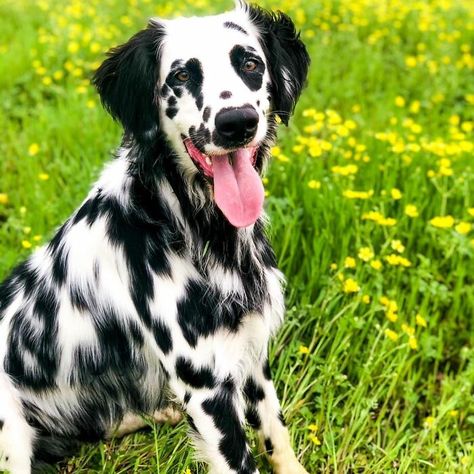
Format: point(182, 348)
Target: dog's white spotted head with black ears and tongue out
point(213, 87)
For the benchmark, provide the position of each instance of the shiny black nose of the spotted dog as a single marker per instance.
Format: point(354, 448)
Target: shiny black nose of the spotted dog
point(237, 125)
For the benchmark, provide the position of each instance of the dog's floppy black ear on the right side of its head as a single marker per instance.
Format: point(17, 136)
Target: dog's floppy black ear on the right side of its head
point(287, 56)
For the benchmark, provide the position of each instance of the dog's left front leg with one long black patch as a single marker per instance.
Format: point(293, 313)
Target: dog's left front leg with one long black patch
point(216, 417)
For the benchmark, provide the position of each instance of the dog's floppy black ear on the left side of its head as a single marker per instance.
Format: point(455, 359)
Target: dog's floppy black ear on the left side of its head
point(126, 82)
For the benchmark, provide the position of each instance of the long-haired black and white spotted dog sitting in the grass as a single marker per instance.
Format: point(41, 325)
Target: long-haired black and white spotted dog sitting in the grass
point(162, 287)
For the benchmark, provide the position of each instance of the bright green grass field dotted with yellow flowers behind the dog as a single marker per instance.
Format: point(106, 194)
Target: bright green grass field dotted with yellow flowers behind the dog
point(371, 199)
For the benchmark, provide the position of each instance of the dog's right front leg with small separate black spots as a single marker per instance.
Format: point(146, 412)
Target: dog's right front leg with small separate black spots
point(264, 414)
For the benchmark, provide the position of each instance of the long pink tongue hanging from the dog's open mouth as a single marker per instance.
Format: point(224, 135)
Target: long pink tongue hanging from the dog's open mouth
point(238, 189)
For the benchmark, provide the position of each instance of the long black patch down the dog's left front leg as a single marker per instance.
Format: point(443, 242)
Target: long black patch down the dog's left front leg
point(233, 442)
